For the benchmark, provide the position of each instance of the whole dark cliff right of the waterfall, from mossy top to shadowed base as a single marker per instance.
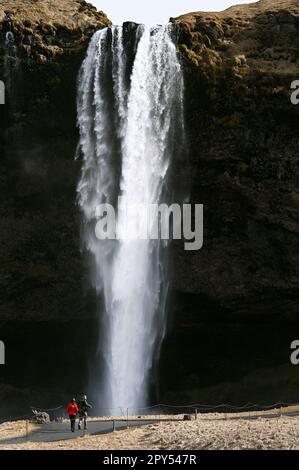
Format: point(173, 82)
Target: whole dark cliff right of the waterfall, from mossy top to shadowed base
point(240, 294)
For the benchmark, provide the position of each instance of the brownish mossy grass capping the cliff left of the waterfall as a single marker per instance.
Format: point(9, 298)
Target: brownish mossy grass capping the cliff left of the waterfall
point(43, 31)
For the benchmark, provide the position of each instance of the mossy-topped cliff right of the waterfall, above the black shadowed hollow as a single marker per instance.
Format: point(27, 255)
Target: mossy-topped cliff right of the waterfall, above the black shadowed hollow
point(244, 151)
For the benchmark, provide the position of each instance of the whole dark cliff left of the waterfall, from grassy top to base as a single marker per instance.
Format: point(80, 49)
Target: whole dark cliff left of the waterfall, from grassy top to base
point(46, 314)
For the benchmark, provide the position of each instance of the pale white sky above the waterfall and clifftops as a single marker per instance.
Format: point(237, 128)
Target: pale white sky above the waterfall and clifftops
point(153, 12)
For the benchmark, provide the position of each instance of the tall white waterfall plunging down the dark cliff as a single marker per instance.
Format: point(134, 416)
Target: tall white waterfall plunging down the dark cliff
point(129, 136)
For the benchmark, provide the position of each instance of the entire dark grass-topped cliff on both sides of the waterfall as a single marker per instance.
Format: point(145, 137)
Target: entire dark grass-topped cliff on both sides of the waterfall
point(235, 305)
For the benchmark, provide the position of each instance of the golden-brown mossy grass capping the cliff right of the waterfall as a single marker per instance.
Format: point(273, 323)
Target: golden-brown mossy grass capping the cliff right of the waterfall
point(258, 37)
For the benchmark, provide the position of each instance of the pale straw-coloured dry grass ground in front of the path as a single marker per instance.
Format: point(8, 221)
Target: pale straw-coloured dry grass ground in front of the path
point(209, 431)
